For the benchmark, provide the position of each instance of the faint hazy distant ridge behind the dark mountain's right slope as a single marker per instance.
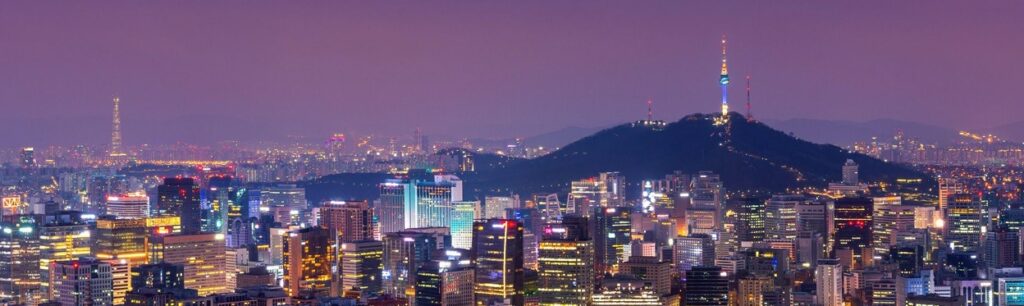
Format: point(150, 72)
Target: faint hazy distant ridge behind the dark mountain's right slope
point(847, 133)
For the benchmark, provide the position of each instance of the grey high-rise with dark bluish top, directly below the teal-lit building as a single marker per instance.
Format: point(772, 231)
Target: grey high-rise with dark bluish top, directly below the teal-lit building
point(405, 252)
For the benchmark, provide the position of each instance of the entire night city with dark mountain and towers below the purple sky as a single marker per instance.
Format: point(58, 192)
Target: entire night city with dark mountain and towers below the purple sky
point(716, 208)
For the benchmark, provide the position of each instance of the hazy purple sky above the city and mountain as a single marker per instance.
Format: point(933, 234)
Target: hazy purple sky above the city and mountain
point(199, 71)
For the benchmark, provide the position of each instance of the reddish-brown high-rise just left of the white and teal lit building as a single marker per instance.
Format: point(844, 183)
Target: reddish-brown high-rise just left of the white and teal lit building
point(349, 222)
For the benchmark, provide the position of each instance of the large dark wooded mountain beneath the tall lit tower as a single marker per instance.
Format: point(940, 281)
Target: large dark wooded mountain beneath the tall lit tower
point(747, 155)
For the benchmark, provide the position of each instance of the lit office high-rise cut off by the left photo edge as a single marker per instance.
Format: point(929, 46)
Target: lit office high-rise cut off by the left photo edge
point(20, 278)
